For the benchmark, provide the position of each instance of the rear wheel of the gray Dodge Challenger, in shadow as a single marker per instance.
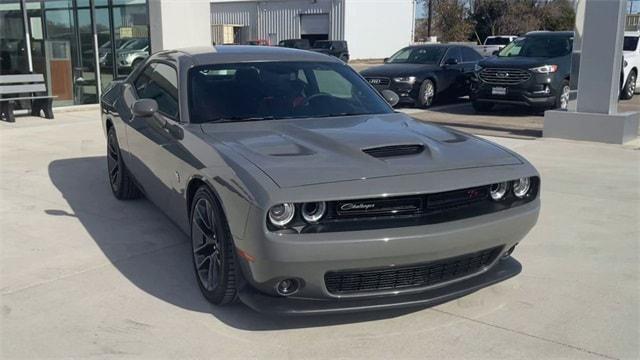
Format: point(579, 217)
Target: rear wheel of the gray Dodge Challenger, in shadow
point(121, 181)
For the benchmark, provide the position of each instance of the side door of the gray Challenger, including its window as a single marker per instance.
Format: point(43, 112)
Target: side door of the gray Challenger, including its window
point(151, 139)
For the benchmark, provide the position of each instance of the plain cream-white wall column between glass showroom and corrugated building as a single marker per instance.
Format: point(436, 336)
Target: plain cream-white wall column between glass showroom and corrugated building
point(179, 23)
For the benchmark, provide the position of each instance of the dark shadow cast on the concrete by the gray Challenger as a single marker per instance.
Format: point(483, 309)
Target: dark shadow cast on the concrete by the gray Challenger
point(154, 255)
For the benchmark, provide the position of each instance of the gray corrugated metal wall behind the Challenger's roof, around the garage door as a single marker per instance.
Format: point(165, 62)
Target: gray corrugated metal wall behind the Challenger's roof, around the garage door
point(276, 20)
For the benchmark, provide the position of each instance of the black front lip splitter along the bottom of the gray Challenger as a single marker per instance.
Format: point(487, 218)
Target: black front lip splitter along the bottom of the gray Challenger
point(503, 270)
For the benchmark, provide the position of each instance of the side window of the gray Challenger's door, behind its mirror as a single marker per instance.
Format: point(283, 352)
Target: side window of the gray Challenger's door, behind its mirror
point(163, 88)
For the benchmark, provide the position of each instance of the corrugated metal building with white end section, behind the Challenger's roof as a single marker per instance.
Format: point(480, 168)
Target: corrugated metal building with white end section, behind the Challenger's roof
point(372, 28)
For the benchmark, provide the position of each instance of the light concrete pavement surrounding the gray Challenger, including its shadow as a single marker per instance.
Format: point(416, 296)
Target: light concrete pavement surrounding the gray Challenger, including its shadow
point(85, 275)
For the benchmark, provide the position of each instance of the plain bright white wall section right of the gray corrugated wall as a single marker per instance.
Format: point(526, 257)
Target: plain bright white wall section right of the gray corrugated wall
point(376, 29)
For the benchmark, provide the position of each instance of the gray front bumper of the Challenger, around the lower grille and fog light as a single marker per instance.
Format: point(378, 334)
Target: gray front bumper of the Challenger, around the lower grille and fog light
point(309, 257)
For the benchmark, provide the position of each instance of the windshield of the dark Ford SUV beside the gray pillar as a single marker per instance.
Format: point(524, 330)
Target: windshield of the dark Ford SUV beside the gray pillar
point(538, 46)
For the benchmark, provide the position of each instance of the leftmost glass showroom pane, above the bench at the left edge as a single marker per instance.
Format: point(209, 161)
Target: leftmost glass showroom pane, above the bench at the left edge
point(13, 46)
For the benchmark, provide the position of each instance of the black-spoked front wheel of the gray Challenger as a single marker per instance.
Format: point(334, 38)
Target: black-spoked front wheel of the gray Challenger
point(213, 255)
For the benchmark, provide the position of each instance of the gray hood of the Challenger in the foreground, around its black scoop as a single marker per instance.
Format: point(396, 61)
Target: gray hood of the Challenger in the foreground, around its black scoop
point(301, 152)
